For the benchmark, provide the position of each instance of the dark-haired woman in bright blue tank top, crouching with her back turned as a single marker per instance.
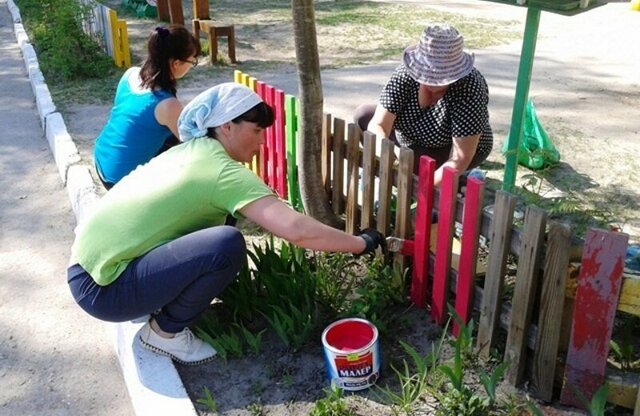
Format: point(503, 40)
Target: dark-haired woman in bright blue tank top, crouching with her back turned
point(144, 117)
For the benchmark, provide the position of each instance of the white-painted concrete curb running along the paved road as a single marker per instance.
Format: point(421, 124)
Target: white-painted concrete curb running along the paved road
point(152, 381)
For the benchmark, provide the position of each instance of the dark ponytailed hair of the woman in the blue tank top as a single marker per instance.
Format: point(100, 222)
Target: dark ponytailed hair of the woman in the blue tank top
point(165, 44)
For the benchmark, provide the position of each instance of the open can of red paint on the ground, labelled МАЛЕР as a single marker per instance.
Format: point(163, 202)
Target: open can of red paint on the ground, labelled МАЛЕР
point(351, 353)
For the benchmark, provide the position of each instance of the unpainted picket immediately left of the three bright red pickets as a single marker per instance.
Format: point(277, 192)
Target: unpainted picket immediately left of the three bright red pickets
point(403, 206)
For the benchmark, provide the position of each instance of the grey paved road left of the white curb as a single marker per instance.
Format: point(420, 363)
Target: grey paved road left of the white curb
point(54, 359)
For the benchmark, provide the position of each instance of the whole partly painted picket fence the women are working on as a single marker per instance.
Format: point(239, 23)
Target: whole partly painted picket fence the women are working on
point(557, 325)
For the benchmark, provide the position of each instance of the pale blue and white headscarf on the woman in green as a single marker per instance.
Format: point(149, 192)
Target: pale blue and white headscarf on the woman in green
point(214, 107)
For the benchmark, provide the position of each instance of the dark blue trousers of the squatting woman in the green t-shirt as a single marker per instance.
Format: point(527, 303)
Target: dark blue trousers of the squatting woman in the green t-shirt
point(180, 279)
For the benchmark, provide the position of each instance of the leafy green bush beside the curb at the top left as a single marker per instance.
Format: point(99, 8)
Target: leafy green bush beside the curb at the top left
point(65, 51)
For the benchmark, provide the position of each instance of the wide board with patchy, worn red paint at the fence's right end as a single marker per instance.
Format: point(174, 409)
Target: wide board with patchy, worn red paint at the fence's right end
point(596, 300)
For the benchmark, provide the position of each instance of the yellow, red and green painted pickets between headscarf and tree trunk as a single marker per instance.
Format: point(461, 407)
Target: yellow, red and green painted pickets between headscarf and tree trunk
point(276, 163)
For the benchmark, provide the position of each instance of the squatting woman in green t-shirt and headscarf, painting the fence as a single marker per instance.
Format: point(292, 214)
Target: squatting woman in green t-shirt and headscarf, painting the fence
point(157, 244)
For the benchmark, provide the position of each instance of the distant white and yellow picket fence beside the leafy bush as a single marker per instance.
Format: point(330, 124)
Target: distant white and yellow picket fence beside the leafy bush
point(103, 24)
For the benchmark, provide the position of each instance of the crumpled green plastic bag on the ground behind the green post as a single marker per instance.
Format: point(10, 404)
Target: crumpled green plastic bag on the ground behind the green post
point(536, 150)
